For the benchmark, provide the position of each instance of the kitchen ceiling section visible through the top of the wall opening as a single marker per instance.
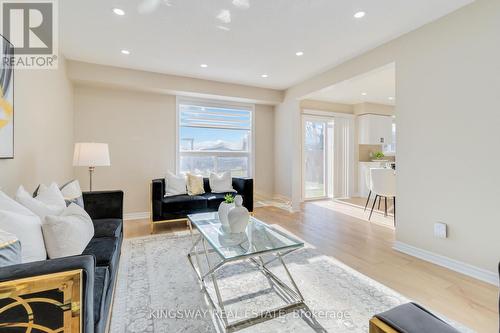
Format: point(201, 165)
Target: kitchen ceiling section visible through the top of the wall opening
point(376, 86)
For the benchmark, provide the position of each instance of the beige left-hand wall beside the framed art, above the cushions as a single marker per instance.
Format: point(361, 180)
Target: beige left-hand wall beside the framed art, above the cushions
point(43, 130)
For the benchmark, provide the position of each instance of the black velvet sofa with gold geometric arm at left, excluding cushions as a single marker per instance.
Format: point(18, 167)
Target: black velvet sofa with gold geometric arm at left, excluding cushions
point(96, 268)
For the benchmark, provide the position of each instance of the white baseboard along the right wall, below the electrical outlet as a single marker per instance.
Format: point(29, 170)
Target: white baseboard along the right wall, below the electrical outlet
point(454, 265)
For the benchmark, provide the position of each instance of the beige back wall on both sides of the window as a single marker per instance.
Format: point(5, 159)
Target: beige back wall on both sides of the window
point(140, 129)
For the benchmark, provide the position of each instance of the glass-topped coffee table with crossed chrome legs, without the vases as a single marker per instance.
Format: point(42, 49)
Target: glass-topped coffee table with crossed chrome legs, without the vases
point(258, 240)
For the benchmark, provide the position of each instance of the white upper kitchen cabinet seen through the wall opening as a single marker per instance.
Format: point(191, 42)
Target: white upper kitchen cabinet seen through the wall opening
point(374, 129)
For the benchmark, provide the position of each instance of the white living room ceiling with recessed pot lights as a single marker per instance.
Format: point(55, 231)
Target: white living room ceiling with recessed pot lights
point(176, 36)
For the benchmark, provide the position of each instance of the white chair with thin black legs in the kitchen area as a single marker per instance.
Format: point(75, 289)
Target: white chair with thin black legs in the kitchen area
point(383, 184)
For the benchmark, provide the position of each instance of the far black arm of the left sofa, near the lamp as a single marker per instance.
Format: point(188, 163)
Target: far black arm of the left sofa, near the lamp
point(104, 204)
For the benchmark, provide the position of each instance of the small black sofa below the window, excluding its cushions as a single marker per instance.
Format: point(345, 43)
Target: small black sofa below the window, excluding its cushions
point(179, 206)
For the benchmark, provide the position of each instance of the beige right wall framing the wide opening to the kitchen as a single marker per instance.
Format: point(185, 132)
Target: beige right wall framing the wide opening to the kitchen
point(447, 83)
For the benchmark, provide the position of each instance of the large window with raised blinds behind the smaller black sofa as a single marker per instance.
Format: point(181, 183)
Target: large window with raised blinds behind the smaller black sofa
point(214, 136)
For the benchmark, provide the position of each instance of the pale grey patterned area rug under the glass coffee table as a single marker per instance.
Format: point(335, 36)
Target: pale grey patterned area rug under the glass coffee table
point(157, 291)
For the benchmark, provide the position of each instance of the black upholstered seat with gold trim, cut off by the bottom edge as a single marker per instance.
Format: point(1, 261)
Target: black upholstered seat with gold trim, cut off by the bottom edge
point(409, 318)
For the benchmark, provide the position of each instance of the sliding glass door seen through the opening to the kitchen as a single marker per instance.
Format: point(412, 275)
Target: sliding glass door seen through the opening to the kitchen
point(315, 168)
